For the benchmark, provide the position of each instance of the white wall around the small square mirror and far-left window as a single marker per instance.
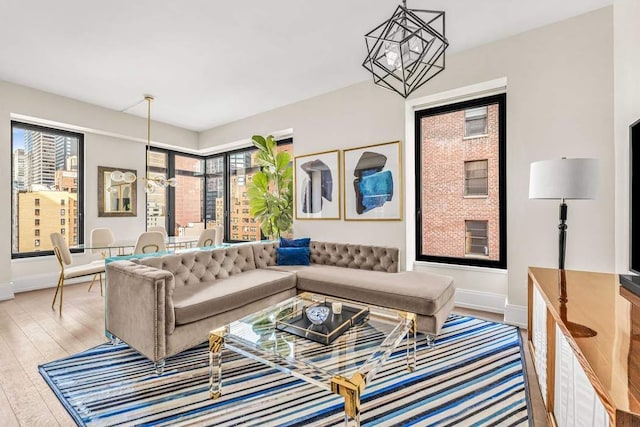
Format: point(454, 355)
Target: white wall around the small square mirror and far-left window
point(124, 148)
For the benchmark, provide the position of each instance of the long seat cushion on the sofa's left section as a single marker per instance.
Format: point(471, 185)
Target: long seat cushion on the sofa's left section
point(202, 300)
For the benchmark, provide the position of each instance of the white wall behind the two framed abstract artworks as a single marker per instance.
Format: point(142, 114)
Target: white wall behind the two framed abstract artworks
point(354, 116)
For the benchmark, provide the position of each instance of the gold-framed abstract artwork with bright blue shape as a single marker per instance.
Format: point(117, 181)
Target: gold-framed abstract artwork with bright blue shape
point(373, 183)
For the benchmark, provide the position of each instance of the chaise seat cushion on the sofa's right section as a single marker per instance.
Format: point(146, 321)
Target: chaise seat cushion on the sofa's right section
point(416, 292)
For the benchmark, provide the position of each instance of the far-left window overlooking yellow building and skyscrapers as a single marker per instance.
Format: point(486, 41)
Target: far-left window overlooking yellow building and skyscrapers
point(46, 173)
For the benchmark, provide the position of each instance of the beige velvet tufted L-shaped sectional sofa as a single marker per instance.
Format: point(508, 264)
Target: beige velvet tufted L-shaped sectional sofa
point(163, 305)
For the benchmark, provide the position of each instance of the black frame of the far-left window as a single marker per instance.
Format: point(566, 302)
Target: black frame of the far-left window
point(80, 188)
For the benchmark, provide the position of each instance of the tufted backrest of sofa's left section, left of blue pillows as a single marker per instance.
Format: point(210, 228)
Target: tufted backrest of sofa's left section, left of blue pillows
point(204, 265)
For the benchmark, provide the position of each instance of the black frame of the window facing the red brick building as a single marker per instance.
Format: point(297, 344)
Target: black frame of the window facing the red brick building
point(501, 100)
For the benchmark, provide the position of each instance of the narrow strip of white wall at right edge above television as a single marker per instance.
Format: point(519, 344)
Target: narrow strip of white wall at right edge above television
point(626, 35)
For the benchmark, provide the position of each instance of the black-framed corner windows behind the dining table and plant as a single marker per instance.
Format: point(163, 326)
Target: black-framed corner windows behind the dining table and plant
point(210, 191)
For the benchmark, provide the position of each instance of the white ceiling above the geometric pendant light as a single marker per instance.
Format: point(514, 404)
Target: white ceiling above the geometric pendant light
point(209, 62)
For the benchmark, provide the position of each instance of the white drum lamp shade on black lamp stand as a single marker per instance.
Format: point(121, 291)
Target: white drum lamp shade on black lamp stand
point(564, 179)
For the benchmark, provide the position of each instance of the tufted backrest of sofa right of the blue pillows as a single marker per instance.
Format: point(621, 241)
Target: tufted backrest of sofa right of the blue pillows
point(364, 257)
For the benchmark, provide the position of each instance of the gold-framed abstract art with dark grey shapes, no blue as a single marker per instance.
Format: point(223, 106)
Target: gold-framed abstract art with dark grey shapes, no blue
point(317, 185)
